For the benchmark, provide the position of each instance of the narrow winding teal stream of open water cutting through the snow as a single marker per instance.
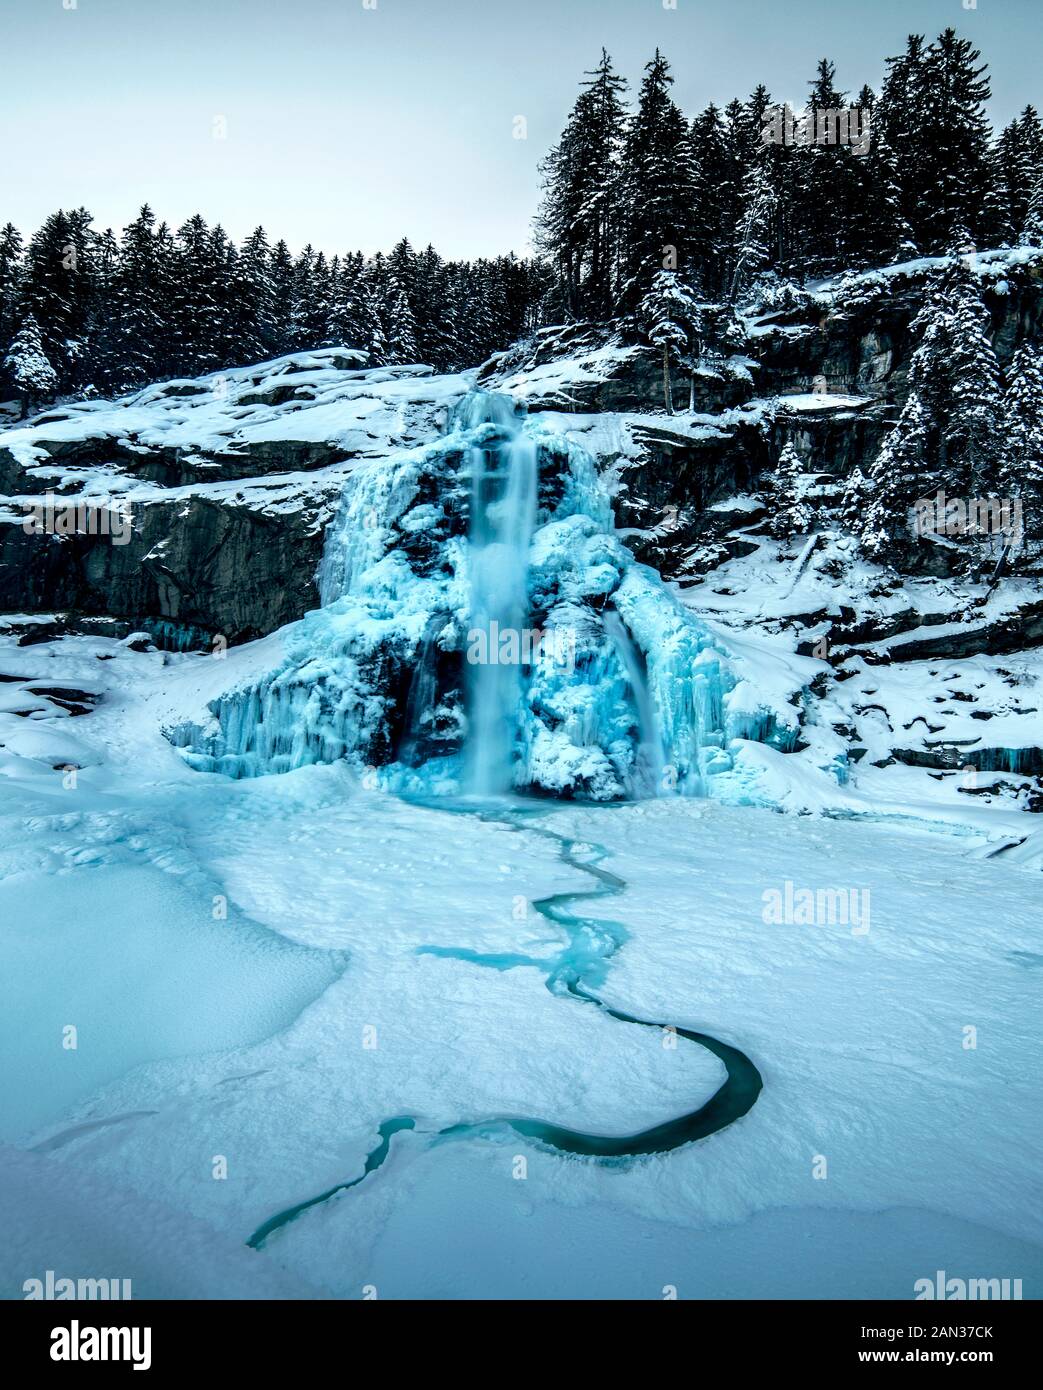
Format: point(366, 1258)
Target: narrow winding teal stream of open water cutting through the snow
point(592, 945)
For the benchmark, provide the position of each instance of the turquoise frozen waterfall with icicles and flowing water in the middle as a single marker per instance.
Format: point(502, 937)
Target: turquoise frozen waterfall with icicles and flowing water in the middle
point(485, 629)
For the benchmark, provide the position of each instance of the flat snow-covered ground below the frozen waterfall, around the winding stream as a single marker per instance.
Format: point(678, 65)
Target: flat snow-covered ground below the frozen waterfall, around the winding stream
point(244, 967)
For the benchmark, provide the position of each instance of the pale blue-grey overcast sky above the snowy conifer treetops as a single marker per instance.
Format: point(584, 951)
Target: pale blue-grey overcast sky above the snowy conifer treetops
point(351, 126)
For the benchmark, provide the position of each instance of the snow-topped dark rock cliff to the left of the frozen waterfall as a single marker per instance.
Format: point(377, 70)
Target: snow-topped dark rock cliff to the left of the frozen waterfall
point(229, 484)
